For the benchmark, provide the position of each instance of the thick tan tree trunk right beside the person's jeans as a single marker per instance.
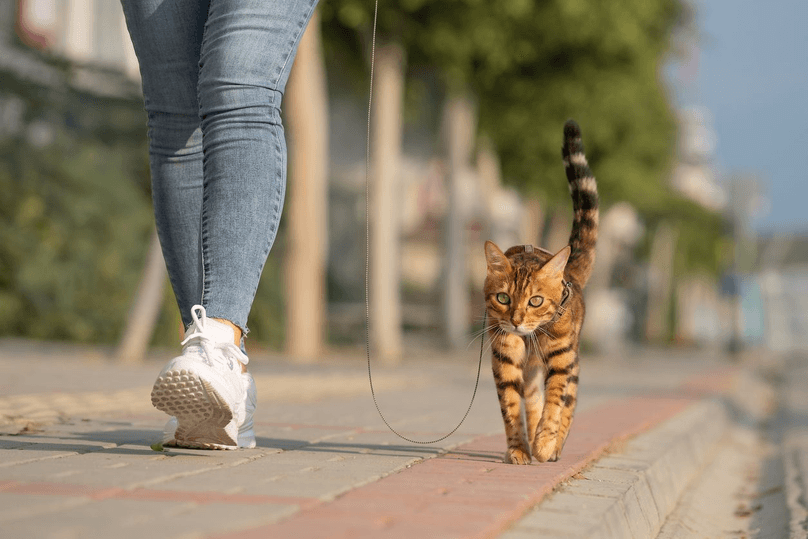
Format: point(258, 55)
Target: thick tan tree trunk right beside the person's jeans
point(305, 261)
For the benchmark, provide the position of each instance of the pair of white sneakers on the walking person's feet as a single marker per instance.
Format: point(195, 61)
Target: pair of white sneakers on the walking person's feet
point(204, 388)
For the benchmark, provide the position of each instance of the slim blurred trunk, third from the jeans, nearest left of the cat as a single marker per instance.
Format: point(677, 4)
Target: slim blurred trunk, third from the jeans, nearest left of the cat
point(460, 135)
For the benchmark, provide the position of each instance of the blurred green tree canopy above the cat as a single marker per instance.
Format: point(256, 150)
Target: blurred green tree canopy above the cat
point(531, 65)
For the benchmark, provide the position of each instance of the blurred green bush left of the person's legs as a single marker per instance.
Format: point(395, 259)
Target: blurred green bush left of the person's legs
point(73, 233)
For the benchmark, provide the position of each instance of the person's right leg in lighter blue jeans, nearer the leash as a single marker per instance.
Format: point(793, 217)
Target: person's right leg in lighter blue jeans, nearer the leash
point(246, 55)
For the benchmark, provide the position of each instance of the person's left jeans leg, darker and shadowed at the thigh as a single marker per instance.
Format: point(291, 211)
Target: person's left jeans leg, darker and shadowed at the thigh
point(167, 38)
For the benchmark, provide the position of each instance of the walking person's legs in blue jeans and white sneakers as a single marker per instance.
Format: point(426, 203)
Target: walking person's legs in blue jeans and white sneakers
point(235, 191)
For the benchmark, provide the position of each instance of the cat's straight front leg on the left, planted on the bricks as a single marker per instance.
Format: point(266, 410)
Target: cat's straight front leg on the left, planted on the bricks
point(506, 362)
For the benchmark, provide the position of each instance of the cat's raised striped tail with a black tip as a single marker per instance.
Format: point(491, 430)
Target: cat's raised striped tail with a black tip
point(584, 191)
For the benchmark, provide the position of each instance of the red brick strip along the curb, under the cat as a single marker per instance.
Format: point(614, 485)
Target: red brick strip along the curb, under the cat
point(469, 492)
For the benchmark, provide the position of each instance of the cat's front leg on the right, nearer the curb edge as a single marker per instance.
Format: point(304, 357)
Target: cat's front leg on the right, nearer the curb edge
point(561, 361)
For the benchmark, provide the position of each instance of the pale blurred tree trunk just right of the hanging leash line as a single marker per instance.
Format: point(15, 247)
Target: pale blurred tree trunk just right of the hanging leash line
point(386, 123)
